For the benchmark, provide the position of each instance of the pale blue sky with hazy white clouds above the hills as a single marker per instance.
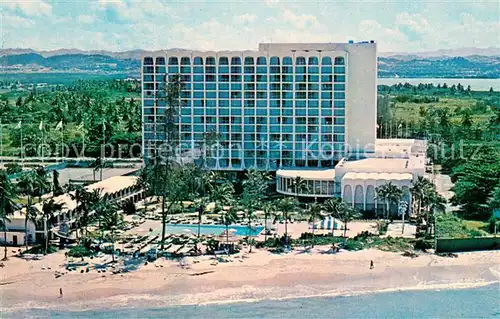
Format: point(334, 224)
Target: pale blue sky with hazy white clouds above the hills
point(120, 25)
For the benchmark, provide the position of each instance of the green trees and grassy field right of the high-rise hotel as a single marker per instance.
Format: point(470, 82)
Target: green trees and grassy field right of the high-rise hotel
point(463, 132)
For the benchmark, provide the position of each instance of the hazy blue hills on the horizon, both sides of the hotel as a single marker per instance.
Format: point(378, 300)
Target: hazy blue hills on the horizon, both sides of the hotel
point(415, 65)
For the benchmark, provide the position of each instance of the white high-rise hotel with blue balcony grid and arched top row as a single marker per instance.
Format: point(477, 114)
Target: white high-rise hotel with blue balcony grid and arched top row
point(283, 106)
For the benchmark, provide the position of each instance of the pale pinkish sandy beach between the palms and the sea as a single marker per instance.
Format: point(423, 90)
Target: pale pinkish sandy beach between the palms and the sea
point(248, 277)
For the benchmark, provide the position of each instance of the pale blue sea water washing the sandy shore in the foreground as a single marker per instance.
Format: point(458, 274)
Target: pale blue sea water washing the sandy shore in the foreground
point(483, 302)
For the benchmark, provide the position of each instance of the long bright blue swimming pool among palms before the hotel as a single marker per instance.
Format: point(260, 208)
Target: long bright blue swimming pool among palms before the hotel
point(238, 230)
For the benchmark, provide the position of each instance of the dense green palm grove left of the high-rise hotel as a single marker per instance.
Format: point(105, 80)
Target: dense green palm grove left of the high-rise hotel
point(90, 111)
